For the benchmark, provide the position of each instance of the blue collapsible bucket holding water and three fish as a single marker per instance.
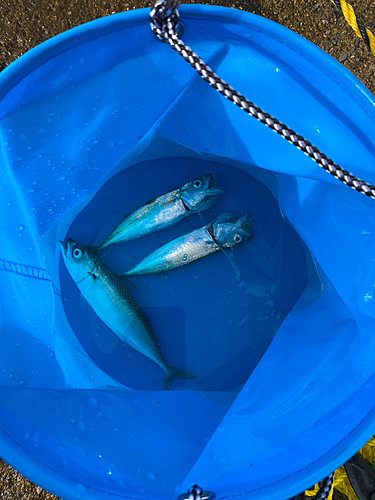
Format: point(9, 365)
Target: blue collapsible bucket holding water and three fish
point(279, 331)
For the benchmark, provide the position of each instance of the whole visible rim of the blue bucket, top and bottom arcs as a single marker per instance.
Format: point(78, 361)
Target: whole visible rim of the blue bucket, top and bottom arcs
point(13, 452)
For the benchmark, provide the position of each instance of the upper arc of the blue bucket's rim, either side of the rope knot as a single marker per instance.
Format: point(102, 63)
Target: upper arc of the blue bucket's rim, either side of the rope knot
point(41, 53)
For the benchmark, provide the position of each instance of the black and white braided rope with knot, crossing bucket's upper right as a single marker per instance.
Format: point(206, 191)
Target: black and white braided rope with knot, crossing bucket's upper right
point(164, 21)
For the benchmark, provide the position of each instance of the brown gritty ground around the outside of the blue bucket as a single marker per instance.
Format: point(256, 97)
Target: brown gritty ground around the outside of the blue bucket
point(25, 23)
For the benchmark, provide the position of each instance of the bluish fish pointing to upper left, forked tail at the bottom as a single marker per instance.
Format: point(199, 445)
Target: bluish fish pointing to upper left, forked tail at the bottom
point(111, 301)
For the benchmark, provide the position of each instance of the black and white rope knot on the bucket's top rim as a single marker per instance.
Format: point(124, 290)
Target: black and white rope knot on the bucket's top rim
point(164, 18)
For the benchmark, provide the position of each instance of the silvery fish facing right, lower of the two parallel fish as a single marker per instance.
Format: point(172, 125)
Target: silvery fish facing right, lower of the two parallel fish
point(226, 231)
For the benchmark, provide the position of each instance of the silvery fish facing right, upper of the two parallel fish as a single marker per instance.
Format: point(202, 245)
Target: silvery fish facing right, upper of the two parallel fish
point(195, 196)
